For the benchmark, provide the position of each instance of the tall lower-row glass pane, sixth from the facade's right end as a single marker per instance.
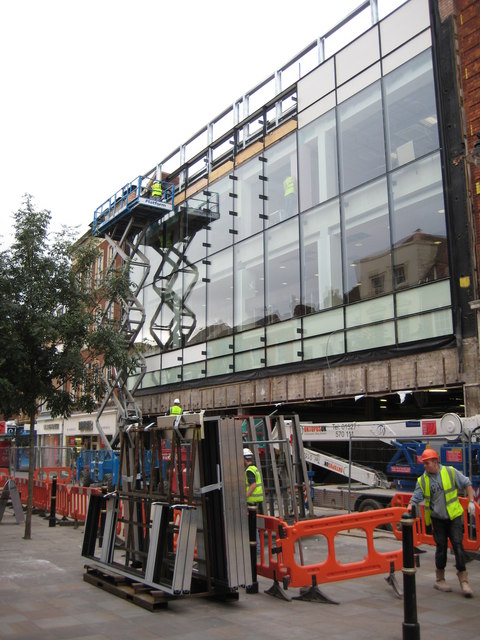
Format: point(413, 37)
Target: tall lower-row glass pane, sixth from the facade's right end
point(220, 294)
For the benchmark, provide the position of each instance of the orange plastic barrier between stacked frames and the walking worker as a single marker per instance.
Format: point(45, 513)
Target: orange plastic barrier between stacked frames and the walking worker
point(280, 562)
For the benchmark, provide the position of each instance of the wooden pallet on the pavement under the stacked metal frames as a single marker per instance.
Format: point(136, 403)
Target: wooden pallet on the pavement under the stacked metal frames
point(136, 592)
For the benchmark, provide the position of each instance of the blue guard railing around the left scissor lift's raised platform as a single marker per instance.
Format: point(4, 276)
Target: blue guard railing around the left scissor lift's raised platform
point(134, 193)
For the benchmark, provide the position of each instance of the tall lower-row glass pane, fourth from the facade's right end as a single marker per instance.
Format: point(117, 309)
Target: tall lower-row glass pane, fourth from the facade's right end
point(282, 272)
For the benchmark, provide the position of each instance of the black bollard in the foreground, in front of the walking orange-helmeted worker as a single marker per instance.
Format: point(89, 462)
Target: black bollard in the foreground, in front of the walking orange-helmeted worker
point(411, 628)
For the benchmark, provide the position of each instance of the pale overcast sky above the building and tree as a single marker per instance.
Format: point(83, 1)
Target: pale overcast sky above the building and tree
point(98, 92)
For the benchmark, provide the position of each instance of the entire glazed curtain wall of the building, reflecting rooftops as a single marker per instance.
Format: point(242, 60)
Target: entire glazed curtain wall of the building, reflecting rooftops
point(341, 246)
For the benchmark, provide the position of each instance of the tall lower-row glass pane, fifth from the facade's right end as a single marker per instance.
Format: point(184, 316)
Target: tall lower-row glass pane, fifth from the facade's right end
point(249, 283)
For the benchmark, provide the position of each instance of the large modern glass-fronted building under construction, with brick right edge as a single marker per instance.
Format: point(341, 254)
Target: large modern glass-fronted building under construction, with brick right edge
point(322, 249)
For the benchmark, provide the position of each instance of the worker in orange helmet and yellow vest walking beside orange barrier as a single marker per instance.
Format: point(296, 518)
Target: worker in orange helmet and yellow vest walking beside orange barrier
point(439, 486)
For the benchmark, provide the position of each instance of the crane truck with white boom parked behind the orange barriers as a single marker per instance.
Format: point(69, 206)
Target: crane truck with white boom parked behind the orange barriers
point(455, 439)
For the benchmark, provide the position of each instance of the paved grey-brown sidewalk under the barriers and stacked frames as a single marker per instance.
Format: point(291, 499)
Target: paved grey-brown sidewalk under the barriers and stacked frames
point(43, 597)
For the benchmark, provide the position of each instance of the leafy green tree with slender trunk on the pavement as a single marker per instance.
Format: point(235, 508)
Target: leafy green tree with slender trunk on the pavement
point(53, 345)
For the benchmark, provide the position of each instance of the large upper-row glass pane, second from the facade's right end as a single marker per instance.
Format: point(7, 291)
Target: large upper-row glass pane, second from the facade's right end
point(361, 139)
